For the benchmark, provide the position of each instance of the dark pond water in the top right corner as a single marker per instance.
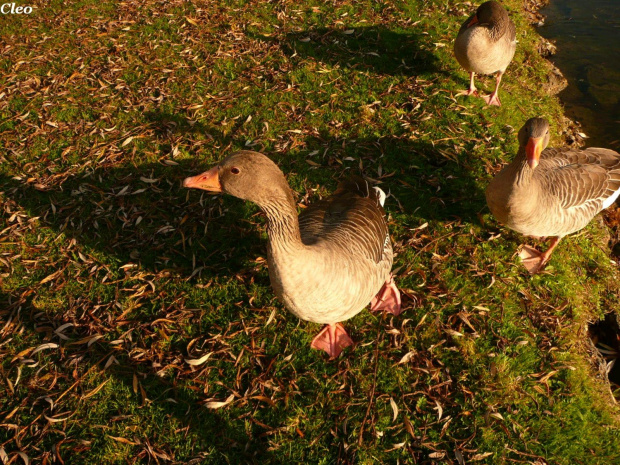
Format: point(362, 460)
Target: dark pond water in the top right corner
point(587, 34)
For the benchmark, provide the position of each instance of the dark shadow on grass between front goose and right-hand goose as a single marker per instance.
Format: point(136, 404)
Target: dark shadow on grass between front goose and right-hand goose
point(434, 181)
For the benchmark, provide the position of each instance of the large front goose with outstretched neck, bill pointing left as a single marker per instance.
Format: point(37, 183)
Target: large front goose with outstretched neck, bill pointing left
point(325, 265)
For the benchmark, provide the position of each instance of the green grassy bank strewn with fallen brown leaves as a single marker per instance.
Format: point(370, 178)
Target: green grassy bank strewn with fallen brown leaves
point(113, 276)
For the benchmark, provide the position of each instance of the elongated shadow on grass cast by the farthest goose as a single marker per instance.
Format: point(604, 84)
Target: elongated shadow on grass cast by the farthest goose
point(367, 48)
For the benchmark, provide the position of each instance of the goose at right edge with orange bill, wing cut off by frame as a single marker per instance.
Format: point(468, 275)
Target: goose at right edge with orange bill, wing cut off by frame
point(552, 192)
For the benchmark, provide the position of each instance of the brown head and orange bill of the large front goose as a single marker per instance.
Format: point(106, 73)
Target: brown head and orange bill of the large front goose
point(247, 175)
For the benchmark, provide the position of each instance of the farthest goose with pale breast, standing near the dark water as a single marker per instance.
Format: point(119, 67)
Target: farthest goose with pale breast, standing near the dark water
point(486, 44)
